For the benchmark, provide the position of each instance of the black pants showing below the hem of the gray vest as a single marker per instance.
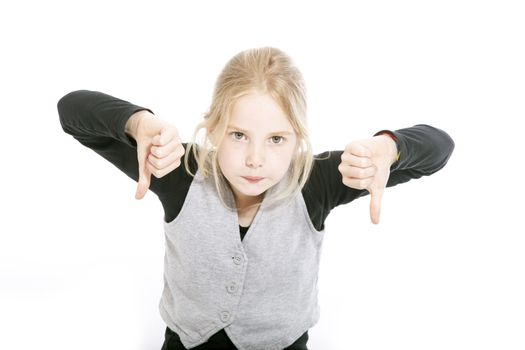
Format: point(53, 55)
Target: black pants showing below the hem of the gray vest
point(219, 341)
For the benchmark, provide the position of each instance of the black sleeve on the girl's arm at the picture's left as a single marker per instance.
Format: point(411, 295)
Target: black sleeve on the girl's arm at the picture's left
point(97, 121)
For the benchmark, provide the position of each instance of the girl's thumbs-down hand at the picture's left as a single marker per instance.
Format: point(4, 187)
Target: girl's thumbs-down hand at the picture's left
point(159, 148)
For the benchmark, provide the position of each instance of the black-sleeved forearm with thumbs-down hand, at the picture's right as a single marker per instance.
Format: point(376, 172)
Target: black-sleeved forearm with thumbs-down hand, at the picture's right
point(370, 165)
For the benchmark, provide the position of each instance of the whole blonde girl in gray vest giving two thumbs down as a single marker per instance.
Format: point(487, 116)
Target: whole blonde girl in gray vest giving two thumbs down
point(244, 209)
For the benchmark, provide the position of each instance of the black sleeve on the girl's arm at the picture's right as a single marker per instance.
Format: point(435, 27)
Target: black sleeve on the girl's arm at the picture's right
point(422, 149)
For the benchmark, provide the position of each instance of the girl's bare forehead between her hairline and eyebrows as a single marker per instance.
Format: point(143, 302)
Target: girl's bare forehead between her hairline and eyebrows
point(259, 113)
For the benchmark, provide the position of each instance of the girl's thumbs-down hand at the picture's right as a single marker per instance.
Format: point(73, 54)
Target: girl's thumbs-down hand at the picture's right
point(365, 164)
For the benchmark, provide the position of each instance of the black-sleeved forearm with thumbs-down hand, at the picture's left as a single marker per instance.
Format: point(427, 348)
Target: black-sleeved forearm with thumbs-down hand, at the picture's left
point(127, 135)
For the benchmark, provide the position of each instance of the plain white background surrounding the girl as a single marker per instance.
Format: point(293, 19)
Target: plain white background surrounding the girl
point(81, 260)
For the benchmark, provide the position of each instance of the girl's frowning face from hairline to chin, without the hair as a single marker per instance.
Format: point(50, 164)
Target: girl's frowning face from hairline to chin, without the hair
point(259, 143)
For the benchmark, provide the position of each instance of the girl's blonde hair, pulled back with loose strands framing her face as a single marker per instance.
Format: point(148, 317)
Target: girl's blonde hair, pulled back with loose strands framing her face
point(264, 70)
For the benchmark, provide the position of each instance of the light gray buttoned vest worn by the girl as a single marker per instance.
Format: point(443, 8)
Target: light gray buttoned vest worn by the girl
point(261, 290)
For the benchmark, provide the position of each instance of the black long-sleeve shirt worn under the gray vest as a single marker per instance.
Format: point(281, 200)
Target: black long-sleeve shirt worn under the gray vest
point(97, 121)
